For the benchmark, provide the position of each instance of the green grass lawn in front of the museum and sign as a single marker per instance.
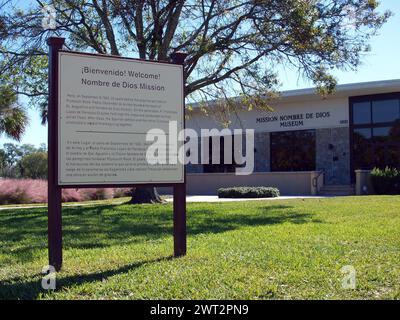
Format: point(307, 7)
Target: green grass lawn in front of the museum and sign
point(291, 249)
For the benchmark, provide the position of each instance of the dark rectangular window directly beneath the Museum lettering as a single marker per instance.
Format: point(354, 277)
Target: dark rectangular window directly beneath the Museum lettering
point(293, 151)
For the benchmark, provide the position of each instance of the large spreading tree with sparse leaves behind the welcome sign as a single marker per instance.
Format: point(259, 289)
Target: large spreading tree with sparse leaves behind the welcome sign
point(234, 47)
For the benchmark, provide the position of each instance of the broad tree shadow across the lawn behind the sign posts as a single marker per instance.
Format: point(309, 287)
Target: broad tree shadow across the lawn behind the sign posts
point(24, 232)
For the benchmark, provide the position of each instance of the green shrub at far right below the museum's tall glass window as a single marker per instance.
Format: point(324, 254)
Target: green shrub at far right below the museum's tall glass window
point(386, 181)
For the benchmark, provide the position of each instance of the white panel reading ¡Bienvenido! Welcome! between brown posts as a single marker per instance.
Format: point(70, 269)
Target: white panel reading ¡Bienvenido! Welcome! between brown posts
point(106, 107)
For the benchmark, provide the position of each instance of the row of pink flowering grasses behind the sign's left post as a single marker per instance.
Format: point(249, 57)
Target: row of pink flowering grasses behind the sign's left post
point(20, 191)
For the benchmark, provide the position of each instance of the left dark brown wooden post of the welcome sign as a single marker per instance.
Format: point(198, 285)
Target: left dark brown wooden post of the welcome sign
point(53, 189)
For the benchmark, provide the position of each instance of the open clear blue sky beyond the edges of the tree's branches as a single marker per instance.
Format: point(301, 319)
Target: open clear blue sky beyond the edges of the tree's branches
point(382, 63)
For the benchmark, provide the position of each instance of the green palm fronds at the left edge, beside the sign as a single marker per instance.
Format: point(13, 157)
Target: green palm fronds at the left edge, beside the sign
point(13, 118)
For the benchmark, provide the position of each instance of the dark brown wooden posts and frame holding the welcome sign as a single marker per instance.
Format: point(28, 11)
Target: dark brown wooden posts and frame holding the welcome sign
point(54, 185)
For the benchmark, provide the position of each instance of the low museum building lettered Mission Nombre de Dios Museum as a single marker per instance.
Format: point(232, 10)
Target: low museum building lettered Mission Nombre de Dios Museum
point(309, 144)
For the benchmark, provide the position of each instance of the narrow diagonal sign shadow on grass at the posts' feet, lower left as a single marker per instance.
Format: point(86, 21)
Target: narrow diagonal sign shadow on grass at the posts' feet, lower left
point(31, 288)
